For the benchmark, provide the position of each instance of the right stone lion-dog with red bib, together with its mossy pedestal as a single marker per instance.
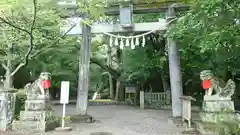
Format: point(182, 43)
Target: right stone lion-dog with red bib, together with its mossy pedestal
point(217, 106)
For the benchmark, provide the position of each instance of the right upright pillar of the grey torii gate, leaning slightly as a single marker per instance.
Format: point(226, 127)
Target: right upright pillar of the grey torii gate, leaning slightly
point(175, 71)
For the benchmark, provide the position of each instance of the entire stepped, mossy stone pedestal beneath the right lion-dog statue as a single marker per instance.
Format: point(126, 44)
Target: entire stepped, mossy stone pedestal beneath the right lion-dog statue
point(213, 116)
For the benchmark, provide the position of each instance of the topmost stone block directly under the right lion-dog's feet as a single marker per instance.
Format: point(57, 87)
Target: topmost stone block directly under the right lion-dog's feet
point(218, 106)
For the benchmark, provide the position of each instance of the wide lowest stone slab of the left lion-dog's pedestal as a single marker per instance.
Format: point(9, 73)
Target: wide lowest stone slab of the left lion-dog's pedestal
point(35, 126)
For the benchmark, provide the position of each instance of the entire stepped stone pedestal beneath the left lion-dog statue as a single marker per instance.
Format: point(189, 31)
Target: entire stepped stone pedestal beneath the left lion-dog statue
point(37, 117)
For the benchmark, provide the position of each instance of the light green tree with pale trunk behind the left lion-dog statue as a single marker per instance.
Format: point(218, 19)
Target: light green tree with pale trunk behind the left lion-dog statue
point(27, 29)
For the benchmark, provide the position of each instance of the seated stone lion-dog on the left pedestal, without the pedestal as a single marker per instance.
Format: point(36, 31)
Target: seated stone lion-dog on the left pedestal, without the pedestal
point(36, 90)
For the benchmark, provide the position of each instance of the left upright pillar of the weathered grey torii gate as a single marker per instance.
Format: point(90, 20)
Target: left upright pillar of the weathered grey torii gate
point(84, 60)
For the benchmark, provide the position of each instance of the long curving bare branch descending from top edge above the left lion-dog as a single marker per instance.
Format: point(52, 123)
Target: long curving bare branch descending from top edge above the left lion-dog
point(31, 40)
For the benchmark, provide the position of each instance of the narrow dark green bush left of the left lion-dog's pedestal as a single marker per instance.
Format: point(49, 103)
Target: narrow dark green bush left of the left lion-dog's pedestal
point(19, 104)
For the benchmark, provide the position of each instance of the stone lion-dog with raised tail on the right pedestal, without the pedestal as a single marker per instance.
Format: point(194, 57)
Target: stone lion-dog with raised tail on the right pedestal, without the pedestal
point(217, 86)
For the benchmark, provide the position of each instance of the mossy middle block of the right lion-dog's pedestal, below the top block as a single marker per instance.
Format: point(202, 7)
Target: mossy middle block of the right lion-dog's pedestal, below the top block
point(211, 117)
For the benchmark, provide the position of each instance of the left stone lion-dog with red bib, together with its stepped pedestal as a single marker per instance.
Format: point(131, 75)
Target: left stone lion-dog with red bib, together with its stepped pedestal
point(38, 115)
